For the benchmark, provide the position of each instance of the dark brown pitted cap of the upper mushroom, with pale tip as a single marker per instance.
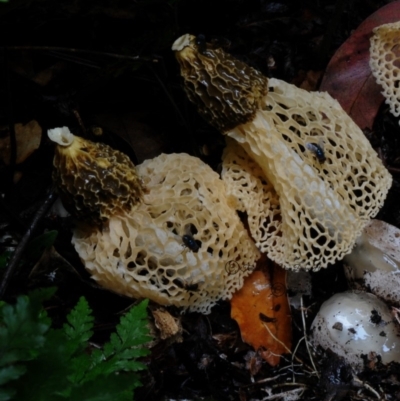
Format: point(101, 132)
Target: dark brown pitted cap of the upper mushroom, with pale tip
point(227, 92)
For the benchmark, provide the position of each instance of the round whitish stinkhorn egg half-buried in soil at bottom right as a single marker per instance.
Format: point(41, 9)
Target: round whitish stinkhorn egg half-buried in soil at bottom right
point(358, 327)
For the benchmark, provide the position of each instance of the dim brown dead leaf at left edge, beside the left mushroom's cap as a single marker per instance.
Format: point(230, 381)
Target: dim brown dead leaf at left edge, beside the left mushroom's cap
point(27, 138)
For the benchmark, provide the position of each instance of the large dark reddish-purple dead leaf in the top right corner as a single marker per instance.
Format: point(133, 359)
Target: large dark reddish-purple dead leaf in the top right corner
point(348, 77)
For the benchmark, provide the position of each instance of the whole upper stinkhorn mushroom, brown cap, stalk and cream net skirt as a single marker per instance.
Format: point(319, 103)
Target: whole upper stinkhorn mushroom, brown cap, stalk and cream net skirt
point(303, 155)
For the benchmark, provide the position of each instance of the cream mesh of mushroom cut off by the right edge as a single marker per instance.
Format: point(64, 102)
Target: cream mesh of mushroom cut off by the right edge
point(385, 62)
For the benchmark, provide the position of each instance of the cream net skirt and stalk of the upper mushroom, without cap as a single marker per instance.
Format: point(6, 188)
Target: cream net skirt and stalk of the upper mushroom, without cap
point(324, 201)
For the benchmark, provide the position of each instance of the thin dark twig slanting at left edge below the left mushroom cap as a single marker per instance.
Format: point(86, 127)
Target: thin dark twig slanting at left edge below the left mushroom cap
point(24, 241)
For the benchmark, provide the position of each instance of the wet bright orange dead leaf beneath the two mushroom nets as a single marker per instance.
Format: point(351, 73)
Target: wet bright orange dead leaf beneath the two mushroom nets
point(262, 312)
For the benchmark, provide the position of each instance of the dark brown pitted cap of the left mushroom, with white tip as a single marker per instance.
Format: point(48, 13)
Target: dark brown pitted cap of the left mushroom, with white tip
point(94, 181)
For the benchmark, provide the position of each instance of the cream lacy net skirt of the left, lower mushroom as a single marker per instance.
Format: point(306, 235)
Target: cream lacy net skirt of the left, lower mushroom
point(143, 254)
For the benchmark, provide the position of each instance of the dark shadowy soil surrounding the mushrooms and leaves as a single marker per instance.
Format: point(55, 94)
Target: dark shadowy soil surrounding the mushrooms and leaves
point(125, 82)
